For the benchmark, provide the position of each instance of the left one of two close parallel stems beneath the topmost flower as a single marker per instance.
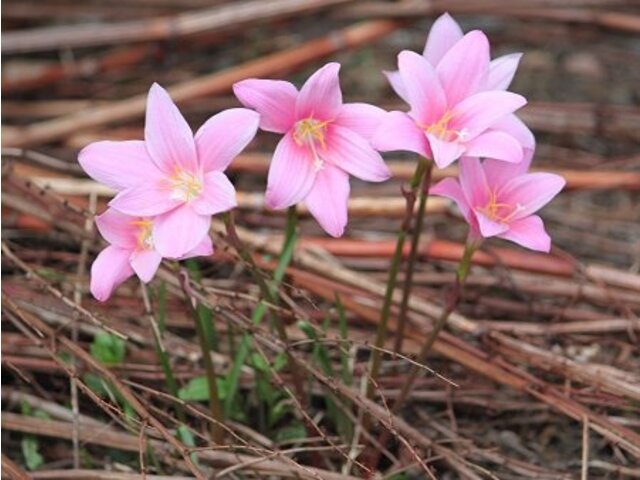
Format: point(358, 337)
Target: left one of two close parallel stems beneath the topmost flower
point(381, 333)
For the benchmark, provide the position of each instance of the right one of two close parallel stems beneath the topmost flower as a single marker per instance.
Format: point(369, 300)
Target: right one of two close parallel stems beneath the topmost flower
point(413, 257)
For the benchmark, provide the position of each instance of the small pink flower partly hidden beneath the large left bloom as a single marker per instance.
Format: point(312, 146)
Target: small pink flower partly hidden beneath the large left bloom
point(131, 250)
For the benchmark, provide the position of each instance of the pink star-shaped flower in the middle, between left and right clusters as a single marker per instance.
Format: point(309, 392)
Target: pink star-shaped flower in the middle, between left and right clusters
point(324, 142)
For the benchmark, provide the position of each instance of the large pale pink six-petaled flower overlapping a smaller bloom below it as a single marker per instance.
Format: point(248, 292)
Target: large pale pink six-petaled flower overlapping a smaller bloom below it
point(171, 174)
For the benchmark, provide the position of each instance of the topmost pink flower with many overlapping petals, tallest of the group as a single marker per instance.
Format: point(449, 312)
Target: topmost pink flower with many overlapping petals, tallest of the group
point(457, 99)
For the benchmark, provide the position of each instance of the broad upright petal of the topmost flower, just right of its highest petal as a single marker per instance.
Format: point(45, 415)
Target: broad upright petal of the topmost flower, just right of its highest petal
point(464, 68)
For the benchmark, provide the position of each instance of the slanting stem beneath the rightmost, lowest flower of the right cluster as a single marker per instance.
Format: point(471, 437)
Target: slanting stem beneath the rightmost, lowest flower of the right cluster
point(451, 303)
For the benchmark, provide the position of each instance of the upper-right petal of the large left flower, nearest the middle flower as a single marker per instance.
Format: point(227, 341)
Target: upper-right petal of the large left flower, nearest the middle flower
point(224, 136)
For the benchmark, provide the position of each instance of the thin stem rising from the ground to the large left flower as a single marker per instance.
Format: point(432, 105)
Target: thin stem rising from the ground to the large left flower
point(215, 406)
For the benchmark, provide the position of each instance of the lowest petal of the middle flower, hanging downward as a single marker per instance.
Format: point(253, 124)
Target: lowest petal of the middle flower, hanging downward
point(328, 200)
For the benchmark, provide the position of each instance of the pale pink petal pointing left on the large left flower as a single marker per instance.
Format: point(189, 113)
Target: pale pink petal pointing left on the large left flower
point(118, 165)
